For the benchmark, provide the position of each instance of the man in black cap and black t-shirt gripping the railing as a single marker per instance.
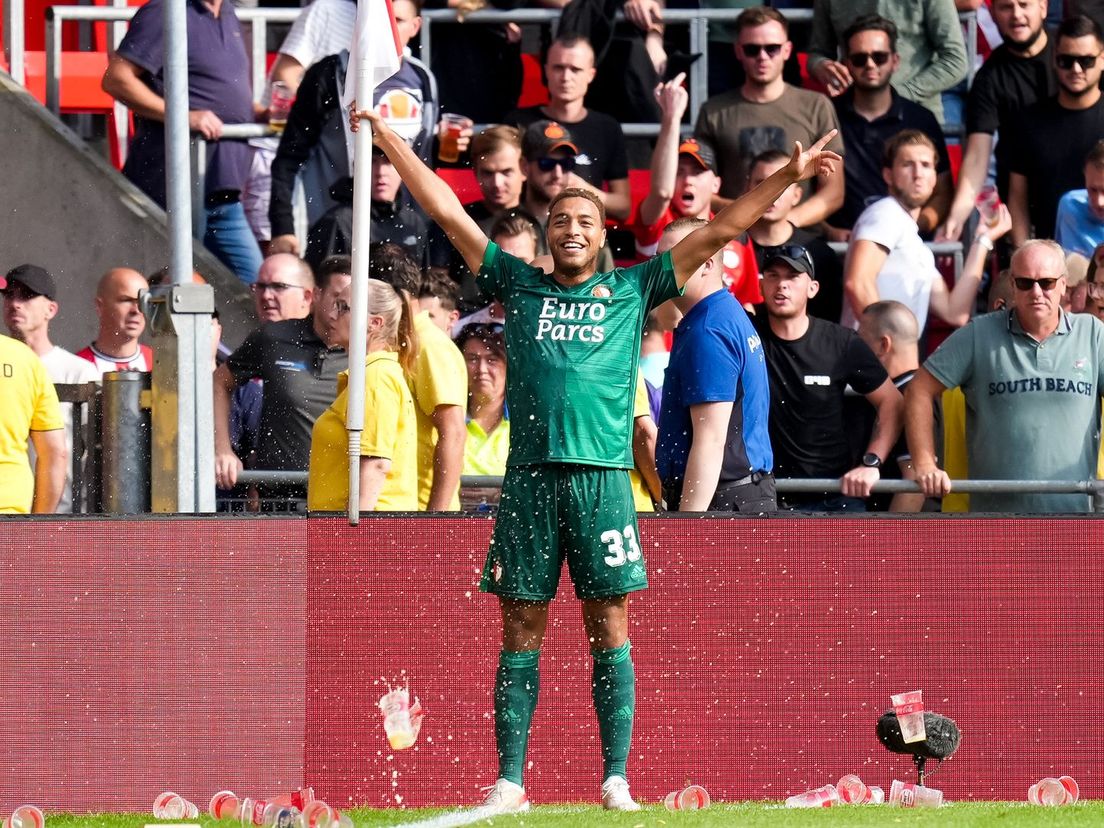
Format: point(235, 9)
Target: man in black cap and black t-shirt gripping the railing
point(811, 362)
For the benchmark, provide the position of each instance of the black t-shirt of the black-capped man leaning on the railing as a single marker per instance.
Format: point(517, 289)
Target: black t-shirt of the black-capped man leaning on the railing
point(809, 376)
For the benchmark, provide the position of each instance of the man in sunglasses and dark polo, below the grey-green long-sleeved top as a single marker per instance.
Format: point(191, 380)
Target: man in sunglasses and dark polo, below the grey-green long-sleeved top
point(871, 113)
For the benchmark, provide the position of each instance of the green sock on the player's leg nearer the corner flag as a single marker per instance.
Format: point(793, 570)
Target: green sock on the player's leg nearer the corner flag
point(517, 685)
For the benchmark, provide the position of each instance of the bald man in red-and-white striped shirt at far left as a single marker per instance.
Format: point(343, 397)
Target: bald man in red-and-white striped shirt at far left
point(116, 346)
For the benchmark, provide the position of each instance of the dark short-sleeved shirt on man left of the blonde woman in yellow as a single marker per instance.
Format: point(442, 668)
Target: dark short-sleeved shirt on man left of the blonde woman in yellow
point(301, 377)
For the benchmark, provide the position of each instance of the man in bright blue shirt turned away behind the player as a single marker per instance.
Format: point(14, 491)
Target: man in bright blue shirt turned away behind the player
point(715, 449)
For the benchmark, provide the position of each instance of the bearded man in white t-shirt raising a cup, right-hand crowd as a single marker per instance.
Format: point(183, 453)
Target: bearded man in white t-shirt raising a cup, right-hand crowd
point(887, 259)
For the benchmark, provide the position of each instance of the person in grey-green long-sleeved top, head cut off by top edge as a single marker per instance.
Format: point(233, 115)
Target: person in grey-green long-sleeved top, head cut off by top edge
point(933, 54)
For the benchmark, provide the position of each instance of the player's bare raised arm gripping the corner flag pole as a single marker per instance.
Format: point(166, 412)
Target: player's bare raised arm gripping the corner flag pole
point(432, 194)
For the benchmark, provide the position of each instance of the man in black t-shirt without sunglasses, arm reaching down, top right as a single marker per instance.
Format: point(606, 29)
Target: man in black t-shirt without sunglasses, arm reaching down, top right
point(1017, 75)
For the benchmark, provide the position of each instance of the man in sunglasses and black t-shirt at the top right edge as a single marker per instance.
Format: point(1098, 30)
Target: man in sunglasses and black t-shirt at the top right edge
point(1054, 137)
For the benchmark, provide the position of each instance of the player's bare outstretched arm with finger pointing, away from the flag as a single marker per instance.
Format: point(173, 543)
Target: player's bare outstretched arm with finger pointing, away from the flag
point(694, 251)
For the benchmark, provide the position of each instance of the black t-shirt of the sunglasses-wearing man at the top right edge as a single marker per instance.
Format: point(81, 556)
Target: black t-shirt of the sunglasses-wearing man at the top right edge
point(1049, 150)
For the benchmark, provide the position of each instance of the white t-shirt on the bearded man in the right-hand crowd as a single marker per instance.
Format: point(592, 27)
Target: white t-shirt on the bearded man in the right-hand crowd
point(909, 272)
